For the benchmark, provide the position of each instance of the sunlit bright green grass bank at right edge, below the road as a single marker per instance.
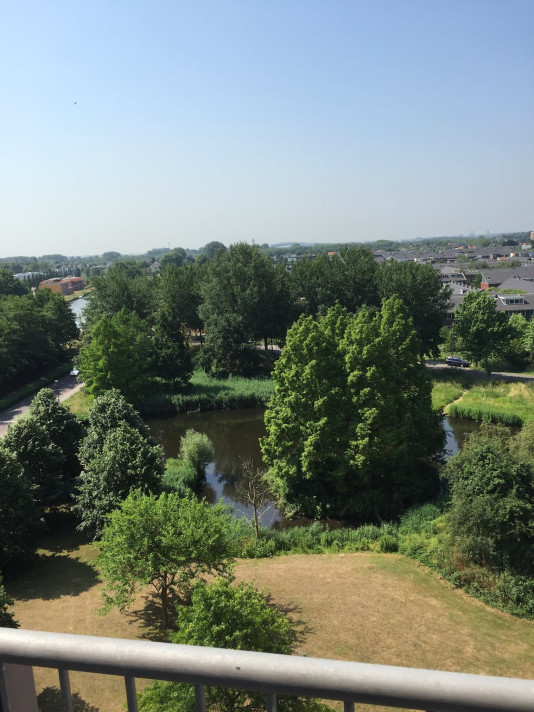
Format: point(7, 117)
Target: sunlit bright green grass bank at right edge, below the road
point(497, 402)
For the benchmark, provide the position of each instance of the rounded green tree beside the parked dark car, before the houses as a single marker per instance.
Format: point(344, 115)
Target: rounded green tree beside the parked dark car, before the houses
point(482, 329)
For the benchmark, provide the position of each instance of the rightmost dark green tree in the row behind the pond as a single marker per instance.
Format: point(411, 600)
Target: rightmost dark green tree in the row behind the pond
point(427, 300)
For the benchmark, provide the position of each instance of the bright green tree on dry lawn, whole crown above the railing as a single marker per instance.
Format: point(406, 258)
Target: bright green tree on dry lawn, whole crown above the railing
point(165, 541)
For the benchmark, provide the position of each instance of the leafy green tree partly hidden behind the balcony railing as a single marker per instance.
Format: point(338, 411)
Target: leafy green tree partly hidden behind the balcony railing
point(223, 615)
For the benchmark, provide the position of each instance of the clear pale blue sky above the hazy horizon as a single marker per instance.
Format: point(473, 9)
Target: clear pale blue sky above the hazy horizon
point(127, 125)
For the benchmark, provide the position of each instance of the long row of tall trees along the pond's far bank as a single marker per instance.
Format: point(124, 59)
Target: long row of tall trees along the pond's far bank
point(235, 297)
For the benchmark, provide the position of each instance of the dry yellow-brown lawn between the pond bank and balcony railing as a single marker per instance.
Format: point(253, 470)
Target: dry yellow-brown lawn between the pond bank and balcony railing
point(379, 608)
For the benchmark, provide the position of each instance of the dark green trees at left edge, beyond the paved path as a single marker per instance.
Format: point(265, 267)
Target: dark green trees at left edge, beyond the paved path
point(34, 331)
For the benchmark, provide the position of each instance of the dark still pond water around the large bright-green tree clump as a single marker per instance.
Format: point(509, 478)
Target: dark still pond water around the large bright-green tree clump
point(235, 436)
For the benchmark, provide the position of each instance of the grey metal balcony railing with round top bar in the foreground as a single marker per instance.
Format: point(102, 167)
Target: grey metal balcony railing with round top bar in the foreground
point(273, 675)
